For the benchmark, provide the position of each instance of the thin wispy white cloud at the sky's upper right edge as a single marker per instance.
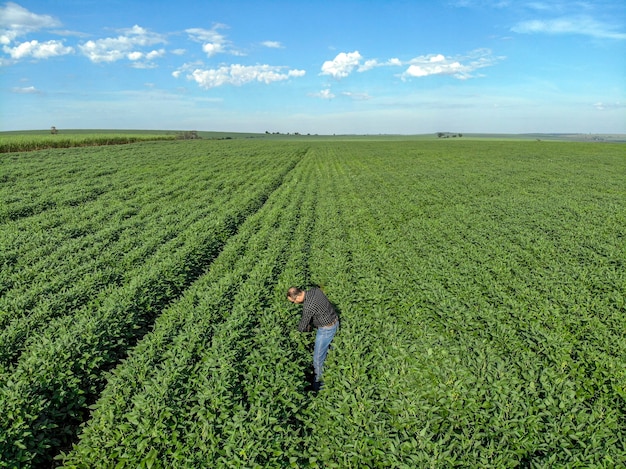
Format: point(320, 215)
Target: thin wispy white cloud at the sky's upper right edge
point(583, 25)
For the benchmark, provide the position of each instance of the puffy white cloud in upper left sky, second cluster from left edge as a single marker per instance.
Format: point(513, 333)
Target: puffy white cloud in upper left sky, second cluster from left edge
point(124, 45)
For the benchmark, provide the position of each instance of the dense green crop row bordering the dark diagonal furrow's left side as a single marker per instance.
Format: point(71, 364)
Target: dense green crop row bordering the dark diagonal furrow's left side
point(46, 393)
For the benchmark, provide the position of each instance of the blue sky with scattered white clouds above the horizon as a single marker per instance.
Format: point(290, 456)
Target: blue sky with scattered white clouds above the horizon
point(364, 67)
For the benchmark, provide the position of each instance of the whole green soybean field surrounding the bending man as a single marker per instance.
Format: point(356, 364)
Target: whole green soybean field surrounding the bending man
point(480, 286)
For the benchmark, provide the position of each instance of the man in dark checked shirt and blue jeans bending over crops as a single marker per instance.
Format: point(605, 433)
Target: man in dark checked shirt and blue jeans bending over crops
point(317, 312)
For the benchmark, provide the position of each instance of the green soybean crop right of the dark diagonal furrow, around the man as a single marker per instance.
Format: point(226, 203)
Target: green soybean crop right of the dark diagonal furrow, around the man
point(450, 352)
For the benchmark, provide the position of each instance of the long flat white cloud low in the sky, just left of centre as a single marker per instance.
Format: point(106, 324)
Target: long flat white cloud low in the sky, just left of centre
point(241, 74)
